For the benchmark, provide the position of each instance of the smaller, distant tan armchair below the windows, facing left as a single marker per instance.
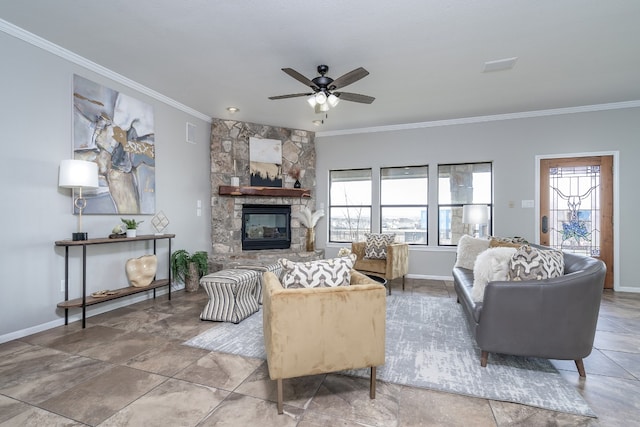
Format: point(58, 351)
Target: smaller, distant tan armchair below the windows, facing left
point(396, 265)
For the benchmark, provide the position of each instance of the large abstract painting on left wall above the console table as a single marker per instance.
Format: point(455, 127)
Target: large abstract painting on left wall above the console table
point(117, 132)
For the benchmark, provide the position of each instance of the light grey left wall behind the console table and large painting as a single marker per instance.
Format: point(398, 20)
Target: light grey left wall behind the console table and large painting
point(35, 135)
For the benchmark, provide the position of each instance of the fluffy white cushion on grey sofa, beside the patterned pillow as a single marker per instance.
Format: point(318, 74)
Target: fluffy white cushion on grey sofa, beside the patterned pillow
point(490, 265)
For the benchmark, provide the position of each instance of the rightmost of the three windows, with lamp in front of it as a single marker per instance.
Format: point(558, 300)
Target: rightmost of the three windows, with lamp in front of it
point(459, 185)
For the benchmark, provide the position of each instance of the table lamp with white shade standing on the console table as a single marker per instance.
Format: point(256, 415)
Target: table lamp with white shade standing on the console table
point(78, 174)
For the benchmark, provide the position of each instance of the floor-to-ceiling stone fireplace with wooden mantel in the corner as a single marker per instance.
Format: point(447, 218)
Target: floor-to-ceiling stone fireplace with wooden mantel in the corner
point(229, 158)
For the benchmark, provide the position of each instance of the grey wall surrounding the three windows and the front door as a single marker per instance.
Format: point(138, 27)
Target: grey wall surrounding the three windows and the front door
point(512, 145)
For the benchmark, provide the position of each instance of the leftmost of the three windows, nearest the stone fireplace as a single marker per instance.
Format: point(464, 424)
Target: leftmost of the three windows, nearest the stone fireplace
point(349, 205)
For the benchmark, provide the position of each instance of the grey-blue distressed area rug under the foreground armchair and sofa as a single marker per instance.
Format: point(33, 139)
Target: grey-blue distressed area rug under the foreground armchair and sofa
point(429, 346)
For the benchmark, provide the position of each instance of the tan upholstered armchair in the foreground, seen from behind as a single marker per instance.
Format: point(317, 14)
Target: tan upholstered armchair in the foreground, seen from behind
point(312, 331)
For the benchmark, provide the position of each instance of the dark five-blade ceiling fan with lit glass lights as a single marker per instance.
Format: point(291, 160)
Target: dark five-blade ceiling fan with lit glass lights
point(324, 88)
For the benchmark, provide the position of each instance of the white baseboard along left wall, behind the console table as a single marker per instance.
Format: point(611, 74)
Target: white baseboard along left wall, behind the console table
point(91, 311)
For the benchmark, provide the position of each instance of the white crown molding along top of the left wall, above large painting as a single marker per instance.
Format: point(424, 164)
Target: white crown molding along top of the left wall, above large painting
point(63, 53)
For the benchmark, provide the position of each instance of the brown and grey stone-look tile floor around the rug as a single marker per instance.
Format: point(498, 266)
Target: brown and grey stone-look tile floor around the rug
point(128, 368)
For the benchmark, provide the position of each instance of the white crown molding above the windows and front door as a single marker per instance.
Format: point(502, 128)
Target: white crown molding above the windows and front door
point(482, 119)
